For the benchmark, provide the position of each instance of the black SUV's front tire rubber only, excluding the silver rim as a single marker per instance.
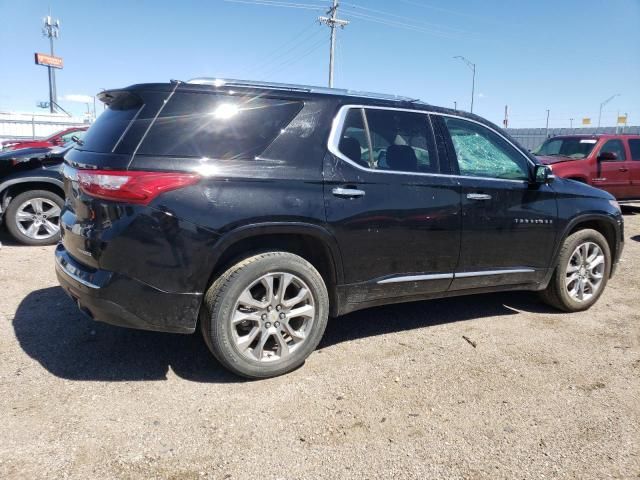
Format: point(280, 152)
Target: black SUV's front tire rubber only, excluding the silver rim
point(571, 243)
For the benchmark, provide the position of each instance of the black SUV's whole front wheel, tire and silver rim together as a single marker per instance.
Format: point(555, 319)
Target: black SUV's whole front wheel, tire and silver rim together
point(584, 266)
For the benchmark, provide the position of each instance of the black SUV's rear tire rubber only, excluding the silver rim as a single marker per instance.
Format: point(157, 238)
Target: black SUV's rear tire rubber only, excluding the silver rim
point(221, 300)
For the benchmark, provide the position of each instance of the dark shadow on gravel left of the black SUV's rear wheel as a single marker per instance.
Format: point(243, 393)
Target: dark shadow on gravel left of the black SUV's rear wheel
point(51, 329)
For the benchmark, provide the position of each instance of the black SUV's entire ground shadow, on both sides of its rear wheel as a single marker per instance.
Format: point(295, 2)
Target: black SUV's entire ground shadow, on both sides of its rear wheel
point(69, 345)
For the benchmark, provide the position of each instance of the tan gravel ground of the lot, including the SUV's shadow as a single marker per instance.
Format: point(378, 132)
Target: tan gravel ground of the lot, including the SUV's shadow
point(393, 392)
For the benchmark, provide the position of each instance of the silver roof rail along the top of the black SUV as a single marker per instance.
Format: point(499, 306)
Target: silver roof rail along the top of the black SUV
point(224, 82)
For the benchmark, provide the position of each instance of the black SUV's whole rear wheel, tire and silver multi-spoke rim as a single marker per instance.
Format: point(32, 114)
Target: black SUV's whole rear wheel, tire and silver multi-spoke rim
point(265, 315)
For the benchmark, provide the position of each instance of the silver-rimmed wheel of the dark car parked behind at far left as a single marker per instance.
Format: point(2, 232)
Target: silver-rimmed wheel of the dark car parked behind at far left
point(33, 217)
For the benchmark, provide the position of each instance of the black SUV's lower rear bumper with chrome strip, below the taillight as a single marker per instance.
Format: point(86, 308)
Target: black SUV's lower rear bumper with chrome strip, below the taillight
point(119, 300)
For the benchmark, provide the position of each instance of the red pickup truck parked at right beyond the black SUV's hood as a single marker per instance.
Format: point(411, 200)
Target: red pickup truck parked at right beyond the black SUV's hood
point(609, 162)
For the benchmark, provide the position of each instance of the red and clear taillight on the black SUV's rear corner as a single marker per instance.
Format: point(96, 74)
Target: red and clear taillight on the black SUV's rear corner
point(132, 186)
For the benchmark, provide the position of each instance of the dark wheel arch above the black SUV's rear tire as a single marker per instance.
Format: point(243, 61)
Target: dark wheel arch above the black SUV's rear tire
point(312, 242)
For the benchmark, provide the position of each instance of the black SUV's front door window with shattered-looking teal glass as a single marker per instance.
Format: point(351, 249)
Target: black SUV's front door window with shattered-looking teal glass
point(483, 153)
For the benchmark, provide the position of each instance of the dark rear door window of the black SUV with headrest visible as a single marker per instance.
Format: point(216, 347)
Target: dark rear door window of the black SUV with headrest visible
point(401, 141)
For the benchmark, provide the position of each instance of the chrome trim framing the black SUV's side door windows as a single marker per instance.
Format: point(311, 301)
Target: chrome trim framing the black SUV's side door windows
point(338, 124)
